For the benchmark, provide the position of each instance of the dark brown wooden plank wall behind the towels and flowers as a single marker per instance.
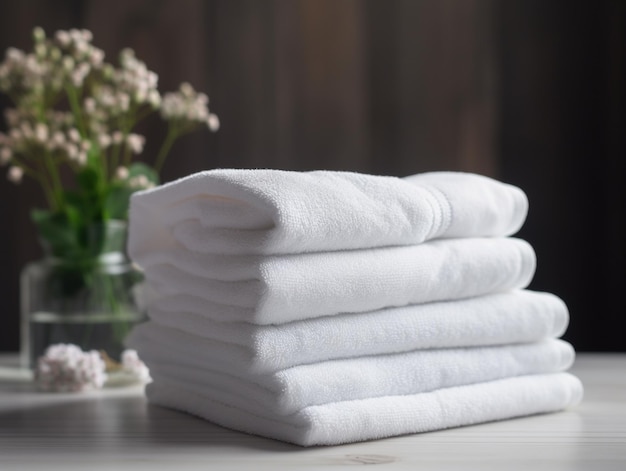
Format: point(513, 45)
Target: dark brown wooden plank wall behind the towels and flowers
point(528, 91)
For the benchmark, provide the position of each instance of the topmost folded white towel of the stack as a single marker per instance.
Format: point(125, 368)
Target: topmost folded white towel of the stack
point(278, 212)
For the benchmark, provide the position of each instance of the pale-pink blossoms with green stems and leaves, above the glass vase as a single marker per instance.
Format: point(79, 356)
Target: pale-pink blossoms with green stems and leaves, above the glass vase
point(74, 119)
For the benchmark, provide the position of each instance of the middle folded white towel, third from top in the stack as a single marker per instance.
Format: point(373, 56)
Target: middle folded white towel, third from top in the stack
point(513, 317)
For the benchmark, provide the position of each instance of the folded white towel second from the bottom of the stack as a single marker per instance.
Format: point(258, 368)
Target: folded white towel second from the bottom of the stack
point(290, 390)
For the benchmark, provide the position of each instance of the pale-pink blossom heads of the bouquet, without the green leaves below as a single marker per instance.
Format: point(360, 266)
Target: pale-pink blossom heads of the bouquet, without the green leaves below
point(114, 101)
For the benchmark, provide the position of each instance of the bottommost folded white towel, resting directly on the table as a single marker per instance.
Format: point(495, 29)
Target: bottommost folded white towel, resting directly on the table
point(374, 418)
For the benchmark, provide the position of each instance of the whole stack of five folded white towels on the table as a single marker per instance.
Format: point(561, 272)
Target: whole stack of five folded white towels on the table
point(325, 307)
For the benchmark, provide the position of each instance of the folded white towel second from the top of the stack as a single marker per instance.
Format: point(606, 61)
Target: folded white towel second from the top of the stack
point(277, 289)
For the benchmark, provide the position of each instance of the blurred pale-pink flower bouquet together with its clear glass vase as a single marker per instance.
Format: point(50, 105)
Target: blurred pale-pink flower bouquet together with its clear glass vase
point(73, 130)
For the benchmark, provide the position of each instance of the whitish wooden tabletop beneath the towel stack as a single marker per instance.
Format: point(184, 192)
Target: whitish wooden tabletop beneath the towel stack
point(116, 429)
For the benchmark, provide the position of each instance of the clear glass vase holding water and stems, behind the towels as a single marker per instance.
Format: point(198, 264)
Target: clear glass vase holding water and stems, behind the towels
point(88, 300)
